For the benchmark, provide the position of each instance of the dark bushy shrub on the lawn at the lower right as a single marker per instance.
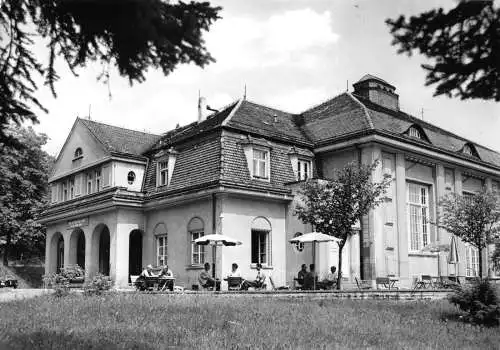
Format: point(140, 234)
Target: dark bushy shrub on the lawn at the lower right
point(480, 302)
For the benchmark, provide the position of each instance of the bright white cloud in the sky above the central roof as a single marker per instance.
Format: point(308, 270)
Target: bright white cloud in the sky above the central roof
point(282, 39)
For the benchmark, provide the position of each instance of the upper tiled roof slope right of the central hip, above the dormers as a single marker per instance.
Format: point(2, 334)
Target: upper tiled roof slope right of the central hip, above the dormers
point(258, 119)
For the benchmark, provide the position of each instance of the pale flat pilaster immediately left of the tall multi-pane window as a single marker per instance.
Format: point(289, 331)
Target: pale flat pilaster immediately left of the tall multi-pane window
point(402, 232)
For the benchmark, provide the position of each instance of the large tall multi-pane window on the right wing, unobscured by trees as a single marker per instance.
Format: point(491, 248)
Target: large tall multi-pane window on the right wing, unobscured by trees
point(418, 215)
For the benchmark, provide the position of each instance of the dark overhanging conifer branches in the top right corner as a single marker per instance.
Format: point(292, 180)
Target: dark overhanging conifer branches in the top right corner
point(462, 44)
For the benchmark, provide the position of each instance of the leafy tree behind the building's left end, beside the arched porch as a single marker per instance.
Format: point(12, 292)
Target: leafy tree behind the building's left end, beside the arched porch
point(23, 191)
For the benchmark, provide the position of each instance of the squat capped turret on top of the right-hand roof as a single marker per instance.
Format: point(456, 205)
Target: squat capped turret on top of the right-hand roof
point(377, 91)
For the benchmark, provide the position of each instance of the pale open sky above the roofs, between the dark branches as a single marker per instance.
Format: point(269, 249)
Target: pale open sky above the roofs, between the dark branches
point(290, 54)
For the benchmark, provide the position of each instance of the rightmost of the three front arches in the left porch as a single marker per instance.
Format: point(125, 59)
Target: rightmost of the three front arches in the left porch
point(100, 251)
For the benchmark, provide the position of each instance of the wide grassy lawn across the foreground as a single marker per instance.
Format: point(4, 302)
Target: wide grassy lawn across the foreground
point(190, 321)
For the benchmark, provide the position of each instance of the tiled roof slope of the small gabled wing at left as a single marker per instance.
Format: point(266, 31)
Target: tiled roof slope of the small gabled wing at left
point(121, 140)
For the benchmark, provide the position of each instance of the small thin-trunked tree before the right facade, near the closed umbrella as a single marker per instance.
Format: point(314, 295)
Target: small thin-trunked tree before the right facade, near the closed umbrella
point(473, 219)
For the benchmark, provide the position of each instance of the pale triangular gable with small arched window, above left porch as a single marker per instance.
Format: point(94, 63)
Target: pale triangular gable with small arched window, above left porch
point(79, 137)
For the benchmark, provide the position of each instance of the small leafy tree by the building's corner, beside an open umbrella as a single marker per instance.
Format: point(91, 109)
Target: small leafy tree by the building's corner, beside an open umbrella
point(335, 205)
